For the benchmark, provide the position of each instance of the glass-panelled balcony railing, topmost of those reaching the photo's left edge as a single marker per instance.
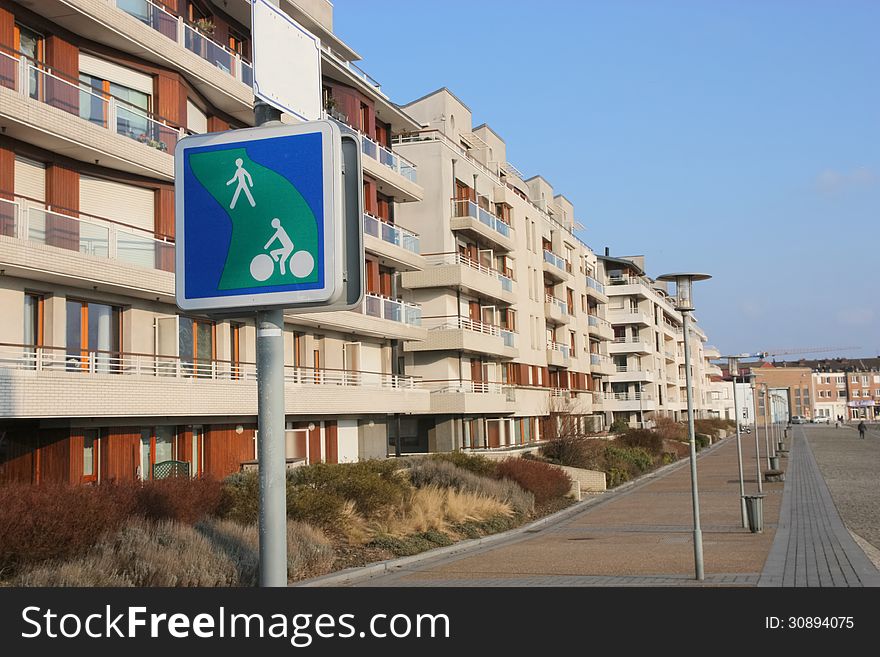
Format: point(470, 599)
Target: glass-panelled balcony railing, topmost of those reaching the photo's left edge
point(33, 80)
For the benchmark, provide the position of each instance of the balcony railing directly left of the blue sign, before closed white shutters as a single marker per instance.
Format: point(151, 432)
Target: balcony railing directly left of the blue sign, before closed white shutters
point(88, 235)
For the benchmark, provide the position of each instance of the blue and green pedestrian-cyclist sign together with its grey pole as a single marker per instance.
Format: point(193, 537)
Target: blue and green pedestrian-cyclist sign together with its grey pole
point(269, 219)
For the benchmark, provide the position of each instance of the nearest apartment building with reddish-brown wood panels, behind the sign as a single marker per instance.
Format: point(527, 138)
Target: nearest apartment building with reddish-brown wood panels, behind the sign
point(101, 377)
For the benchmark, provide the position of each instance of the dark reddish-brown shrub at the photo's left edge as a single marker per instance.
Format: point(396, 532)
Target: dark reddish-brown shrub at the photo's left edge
point(57, 521)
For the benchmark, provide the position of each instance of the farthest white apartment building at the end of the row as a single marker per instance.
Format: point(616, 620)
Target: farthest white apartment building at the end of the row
point(647, 348)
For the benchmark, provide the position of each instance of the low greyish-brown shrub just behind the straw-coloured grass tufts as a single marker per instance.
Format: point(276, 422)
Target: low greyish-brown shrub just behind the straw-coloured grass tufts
point(443, 474)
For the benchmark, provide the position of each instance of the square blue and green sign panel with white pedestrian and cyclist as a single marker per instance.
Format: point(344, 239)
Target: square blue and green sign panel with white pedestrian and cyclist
point(262, 220)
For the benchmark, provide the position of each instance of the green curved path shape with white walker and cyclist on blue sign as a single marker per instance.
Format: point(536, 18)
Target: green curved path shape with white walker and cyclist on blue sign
point(274, 231)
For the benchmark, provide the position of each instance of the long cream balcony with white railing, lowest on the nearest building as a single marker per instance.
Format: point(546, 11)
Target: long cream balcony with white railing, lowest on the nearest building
point(45, 382)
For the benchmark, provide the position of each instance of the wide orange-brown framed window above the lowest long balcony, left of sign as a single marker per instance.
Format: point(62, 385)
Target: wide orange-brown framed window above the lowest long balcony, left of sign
point(93, 331)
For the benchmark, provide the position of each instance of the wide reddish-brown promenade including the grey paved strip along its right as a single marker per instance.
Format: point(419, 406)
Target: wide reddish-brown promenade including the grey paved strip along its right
point(643, 536)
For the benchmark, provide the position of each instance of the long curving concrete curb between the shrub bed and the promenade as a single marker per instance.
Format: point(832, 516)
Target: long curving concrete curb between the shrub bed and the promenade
point(359, 573)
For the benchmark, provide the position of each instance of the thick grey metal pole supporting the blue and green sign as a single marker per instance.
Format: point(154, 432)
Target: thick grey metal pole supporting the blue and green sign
point(270, 422)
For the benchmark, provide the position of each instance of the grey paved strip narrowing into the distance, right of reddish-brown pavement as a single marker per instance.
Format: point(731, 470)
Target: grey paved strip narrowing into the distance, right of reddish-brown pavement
point(812, 546)
